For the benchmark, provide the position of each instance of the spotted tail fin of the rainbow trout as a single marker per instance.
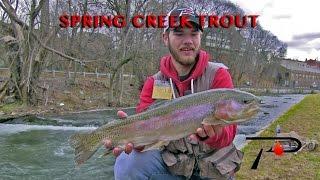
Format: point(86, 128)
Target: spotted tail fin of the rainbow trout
point(85, 146)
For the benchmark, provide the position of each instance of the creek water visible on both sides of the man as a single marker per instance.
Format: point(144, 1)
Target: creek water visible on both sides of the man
point(39, 149)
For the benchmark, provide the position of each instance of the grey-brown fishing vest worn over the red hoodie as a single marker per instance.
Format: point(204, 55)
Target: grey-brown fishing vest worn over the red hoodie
point(184, 157)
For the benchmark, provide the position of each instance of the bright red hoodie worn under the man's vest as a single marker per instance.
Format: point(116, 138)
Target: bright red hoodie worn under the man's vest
point(222, 79)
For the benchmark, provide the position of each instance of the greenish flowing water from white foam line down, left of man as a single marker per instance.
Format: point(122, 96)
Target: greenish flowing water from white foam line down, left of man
point(36, 152)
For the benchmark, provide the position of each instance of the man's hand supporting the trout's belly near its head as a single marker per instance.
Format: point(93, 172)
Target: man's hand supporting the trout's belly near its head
point(206, 132)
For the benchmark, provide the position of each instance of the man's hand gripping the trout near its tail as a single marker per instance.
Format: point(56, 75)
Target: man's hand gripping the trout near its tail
point(117, 150)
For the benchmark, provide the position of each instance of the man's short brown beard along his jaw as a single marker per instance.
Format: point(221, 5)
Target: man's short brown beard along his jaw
point(183, 60)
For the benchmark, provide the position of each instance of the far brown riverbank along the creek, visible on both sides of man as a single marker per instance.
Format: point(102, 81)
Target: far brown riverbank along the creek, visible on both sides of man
point(61, 99)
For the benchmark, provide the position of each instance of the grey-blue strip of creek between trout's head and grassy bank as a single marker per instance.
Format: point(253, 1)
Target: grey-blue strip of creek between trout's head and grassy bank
point(271, 109)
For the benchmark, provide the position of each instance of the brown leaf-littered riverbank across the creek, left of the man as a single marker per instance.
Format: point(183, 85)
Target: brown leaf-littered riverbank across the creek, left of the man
point(84, 94)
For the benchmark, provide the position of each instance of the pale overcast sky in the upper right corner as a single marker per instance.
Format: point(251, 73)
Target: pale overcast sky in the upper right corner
point(292, 21)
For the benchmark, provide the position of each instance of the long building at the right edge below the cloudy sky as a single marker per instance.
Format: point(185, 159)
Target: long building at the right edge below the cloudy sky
point(304, 74)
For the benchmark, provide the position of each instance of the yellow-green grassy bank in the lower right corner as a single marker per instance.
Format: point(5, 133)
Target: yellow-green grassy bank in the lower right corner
point(304, 118)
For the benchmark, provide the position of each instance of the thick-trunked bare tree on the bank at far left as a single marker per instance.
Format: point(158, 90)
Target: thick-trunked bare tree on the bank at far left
point(28, 48)
